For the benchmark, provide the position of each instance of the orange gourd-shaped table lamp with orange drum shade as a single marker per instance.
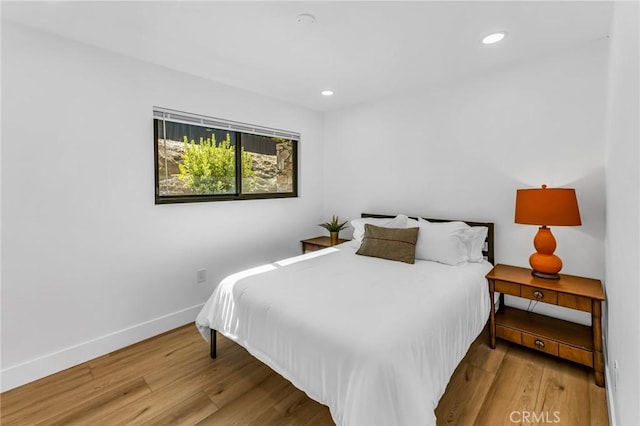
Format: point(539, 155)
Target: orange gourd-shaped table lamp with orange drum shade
point(546, 207)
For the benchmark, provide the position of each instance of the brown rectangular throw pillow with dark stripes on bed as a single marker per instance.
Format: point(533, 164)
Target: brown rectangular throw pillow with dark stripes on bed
point(389, 243)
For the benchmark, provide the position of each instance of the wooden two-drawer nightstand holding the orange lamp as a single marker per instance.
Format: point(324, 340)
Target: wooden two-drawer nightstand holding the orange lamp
point(564, 339)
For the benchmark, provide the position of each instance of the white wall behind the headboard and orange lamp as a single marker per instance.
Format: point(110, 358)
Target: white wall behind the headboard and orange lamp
point(461, 151)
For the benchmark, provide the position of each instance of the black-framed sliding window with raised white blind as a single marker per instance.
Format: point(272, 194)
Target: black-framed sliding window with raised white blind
point(200, 158)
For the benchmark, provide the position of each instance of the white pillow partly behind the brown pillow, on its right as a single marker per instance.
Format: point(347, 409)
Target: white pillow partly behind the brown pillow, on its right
point(442, 242)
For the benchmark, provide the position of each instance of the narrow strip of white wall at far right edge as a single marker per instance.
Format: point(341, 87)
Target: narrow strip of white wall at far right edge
point(623, 212)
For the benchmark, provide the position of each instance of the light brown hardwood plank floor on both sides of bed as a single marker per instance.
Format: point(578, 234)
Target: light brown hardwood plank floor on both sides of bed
point(170, 379)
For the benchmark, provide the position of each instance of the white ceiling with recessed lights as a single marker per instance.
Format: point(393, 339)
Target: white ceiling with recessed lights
point(362, 50)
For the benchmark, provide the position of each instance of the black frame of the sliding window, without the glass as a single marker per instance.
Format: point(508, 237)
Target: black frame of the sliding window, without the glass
point(238, 195)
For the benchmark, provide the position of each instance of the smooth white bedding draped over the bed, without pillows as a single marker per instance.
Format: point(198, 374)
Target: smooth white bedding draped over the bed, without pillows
point(375, 340)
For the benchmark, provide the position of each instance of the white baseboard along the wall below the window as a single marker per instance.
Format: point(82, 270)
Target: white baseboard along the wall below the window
point(54, 362)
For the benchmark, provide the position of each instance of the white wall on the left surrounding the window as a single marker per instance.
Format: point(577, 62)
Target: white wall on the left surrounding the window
point(89, 263)
